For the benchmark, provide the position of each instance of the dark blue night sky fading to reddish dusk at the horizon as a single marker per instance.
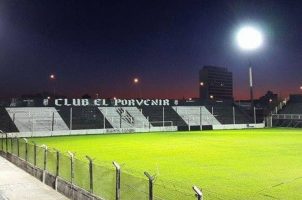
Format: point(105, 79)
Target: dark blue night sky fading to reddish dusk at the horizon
point(100, 46)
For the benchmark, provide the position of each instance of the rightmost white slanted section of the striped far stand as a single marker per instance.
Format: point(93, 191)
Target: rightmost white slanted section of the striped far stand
point(196, 115)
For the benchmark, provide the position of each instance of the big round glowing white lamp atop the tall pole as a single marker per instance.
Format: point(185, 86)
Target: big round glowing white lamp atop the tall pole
point(249, 38)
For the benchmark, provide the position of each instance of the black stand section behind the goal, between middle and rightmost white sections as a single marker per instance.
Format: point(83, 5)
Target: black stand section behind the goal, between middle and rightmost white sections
point(162, 116)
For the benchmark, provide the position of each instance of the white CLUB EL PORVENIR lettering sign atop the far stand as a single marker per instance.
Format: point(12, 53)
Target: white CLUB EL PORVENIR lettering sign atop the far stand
point(108, 102)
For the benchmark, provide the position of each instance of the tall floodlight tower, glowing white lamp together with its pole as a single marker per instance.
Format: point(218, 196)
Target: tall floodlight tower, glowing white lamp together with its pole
point(249, 39)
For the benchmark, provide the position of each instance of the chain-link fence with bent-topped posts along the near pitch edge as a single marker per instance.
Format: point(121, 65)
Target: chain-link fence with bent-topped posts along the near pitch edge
point(103, 181)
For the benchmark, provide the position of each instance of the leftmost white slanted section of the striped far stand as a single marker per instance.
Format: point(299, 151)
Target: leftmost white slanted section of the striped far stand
point(29, 119)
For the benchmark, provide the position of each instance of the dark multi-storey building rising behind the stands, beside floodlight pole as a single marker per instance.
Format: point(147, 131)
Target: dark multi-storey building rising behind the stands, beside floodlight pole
point(215, 83)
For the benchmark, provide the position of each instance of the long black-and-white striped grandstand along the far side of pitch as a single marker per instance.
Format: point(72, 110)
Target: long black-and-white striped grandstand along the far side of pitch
point(139, 115)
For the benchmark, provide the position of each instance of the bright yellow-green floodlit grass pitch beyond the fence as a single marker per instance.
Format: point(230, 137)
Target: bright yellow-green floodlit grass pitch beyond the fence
point(228, 164)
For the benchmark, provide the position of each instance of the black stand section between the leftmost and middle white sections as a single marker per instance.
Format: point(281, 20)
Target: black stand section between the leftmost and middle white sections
point(88, 117)
